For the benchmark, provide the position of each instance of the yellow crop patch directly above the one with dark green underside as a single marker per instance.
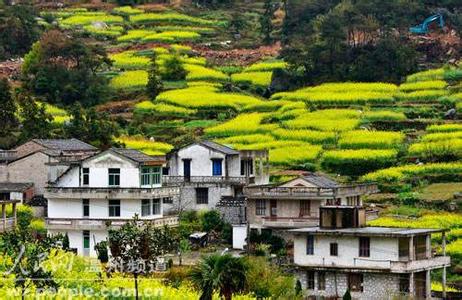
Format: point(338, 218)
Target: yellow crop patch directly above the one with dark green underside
point(370, 139)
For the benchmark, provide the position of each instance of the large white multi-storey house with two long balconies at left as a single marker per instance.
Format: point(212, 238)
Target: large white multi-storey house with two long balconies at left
point(108, 188)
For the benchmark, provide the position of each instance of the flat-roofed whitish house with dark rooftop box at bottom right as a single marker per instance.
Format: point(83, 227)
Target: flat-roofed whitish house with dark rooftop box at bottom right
point(371, 262)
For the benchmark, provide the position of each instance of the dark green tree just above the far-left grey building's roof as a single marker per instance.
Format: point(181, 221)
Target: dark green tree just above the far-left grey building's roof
point(35, 121)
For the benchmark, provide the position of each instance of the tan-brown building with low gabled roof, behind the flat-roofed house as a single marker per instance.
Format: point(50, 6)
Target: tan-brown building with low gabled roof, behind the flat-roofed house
point(296, 203)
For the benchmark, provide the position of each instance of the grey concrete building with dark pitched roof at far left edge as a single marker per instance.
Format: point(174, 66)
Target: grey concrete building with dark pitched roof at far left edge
point(41, 160)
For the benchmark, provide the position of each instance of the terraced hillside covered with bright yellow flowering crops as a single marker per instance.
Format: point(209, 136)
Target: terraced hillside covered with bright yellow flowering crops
point(406, 135)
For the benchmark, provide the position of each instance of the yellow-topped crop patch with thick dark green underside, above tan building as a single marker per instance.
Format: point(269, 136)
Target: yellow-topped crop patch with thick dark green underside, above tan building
point(357, 162)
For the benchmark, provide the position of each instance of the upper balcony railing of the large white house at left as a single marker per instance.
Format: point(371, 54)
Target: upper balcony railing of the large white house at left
point(110, 193)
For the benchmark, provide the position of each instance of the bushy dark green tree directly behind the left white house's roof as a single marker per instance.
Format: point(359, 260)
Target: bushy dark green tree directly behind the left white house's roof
point(91, 126)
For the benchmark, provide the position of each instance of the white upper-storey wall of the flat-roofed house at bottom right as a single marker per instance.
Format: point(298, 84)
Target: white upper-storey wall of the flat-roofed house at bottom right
point(382, 249)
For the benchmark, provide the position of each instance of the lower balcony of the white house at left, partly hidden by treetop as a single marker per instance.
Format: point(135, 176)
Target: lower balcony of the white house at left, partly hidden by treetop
point(102, 224)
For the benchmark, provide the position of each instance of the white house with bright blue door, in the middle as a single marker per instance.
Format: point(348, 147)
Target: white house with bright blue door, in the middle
point(214, 175)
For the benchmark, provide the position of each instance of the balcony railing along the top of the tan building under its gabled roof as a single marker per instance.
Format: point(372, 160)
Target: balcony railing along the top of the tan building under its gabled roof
point(308, 192)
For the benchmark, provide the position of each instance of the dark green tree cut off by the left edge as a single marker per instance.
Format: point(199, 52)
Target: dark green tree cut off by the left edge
point(8, 111)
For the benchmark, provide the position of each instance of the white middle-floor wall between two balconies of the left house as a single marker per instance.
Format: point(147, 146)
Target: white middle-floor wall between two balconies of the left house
point(99, 209)
